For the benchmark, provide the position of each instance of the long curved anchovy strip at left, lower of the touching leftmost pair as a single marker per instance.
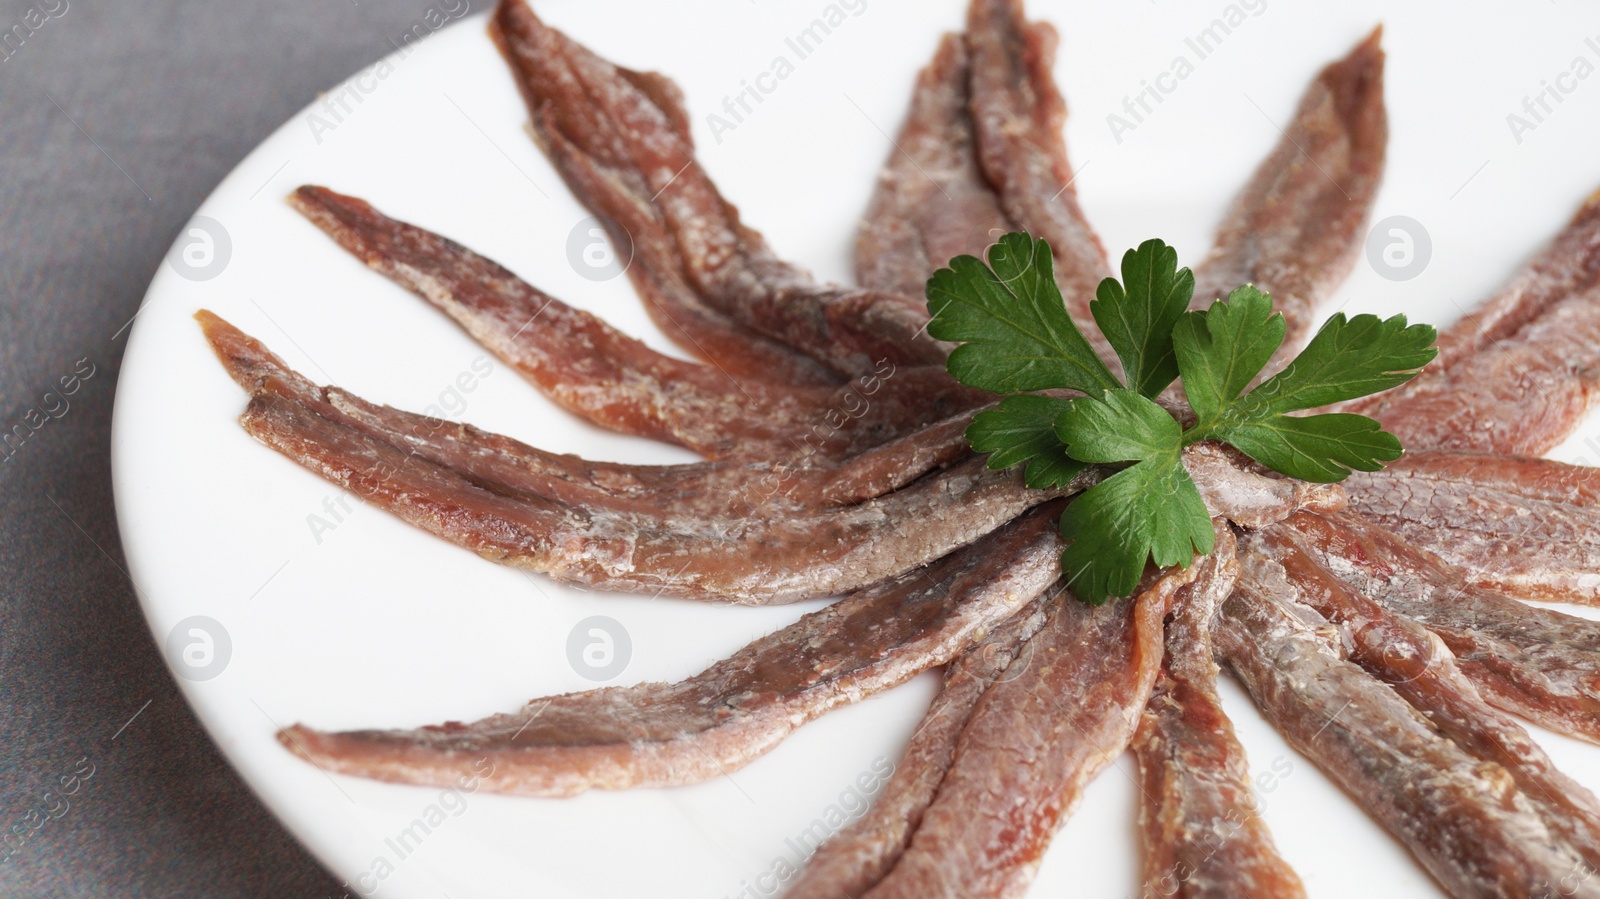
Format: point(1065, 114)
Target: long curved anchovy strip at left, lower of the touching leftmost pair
point(623, 546)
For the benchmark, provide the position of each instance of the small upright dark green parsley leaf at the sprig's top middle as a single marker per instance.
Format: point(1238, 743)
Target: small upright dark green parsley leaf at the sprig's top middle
point(1138, 314)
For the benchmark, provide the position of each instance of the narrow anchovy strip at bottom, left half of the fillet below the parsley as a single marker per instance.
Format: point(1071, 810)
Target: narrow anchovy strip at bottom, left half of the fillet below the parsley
point(860, 857)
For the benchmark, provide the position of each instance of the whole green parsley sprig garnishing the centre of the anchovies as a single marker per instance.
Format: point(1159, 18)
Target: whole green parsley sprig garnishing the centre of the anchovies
point(1018, 340)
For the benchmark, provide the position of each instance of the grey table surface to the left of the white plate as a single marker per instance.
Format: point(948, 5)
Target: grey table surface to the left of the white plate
point(116, 122)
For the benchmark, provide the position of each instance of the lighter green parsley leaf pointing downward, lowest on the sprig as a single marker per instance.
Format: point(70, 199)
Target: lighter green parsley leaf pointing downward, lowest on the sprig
point(1148, 511)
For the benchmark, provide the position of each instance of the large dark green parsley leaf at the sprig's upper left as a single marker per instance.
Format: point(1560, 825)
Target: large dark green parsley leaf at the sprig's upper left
point(1012, 322)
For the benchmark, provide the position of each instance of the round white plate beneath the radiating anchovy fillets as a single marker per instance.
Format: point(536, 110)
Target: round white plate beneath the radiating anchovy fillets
point(362, 621)
